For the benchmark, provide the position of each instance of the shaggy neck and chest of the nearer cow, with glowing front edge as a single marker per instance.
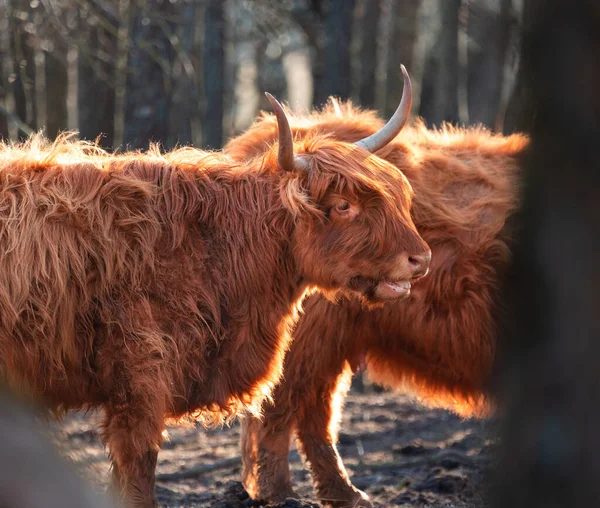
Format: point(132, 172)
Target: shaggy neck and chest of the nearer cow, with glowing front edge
point(251, 251)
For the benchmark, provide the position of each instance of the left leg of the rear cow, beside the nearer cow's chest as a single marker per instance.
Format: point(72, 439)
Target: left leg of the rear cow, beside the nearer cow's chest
point(265, 449)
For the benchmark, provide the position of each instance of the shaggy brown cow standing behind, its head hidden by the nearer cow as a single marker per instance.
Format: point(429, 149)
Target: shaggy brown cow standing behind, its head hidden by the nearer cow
point(439, 344)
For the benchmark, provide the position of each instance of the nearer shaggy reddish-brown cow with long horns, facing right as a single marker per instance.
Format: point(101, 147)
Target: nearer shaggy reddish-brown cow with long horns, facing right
point(164, 285)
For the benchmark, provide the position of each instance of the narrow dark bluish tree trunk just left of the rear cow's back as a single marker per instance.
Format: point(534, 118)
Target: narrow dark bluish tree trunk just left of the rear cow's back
point(214, 73)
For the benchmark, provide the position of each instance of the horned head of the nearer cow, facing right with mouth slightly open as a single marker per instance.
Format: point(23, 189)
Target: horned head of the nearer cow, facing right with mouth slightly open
point(354, 228)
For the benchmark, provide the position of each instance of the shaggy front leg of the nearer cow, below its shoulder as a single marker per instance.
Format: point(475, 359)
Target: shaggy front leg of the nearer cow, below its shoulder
point(132, 370)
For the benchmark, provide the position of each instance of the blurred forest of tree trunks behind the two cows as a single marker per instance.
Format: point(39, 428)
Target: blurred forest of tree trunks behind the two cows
point(194, 71)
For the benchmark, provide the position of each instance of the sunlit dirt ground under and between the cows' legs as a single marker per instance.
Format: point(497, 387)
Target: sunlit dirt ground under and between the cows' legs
point(400, 453)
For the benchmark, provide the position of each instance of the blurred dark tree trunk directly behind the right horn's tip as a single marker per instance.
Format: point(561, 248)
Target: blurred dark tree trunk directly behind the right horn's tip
point(403, 36)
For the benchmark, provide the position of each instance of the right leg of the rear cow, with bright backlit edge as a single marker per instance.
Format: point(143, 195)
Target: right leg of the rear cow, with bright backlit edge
point(317, 435)
